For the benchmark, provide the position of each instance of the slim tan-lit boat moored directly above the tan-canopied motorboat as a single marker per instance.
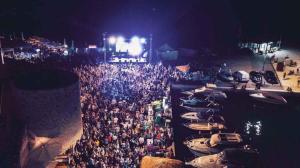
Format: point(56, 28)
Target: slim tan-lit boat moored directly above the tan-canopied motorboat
point(205, 126)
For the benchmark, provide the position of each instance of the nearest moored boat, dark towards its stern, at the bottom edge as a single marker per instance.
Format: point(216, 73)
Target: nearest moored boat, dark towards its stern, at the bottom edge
point(230, 157)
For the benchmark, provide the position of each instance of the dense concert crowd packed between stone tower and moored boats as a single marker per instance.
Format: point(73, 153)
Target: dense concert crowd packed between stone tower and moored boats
point(120, 122)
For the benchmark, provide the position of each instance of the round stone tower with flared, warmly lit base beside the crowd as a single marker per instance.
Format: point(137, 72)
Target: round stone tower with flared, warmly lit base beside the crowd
point(51, 116)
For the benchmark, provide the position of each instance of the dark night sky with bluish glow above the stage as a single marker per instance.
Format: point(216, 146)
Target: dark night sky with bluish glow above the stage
point(185, 23)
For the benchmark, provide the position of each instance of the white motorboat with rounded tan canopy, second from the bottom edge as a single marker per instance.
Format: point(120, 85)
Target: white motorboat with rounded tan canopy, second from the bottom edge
point(214, 144)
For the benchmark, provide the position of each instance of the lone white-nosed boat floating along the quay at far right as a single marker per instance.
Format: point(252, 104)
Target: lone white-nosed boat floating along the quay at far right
point(268, 98)
